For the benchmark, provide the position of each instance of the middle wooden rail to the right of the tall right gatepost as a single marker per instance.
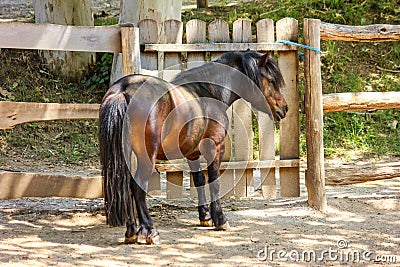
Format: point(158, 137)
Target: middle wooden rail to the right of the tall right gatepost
point(360, 101)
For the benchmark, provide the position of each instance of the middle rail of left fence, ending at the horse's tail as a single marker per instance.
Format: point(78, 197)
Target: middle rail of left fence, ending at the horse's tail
point(14, 113)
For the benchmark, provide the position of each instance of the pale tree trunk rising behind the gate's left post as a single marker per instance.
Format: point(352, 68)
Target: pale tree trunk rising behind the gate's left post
point(133, 11)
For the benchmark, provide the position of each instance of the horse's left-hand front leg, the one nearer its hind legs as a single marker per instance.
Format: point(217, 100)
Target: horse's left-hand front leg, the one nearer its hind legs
point(200, 181)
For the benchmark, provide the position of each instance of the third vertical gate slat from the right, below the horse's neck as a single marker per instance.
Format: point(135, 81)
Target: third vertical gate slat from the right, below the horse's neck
point(242, 121)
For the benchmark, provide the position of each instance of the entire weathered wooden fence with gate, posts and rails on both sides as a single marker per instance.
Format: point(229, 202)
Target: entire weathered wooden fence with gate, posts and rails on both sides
point(168, 58)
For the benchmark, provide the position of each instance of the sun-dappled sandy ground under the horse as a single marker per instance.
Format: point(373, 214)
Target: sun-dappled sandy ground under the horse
point(361, 220)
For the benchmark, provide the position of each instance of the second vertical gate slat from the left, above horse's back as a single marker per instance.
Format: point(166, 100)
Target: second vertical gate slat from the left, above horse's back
point(173, 31)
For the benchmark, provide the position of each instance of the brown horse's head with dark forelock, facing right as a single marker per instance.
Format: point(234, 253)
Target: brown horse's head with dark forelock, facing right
point(271, 81)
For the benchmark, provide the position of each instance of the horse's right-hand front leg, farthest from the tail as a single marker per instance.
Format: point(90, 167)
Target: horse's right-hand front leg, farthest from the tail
point(218, 217)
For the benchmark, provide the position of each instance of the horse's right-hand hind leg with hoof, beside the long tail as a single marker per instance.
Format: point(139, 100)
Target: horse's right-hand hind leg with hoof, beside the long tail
point(146, 233)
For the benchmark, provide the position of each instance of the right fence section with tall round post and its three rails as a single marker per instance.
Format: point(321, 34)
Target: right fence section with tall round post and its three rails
point(316, 103)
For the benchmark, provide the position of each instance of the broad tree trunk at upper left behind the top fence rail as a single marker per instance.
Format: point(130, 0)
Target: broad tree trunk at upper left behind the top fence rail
point(71, 12)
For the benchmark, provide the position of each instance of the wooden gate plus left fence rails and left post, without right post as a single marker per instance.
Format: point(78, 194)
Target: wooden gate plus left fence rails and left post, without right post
point(165, 60)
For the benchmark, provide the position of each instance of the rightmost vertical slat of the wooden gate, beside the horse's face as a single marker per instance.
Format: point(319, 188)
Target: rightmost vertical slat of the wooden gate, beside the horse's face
point(287, 29)
